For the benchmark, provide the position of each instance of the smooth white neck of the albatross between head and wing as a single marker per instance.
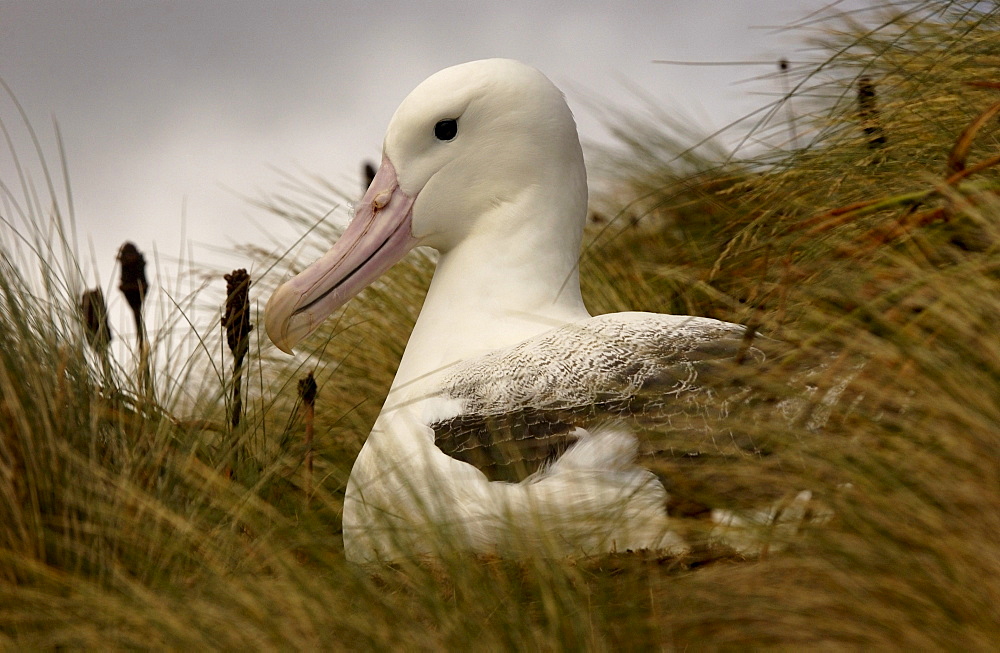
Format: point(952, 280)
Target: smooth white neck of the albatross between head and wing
point(499, 286)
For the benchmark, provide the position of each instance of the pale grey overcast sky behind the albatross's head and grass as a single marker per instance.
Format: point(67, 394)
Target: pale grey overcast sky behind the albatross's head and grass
point(170, 110)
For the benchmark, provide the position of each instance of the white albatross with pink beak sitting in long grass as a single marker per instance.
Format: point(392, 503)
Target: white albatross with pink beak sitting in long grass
point(482, 162)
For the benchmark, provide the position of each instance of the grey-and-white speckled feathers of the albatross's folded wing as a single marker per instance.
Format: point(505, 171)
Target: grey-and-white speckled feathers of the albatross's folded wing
point(671, 379)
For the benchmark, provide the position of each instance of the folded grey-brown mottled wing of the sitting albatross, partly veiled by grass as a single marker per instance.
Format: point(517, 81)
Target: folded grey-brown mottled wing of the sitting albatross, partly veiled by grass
point(673, 381)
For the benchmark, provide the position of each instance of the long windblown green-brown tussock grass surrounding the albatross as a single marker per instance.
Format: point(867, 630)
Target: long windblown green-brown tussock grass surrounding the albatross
point(119, 526)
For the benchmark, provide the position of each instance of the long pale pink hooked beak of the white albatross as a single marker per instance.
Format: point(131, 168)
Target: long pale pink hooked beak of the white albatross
point(378, 237)
